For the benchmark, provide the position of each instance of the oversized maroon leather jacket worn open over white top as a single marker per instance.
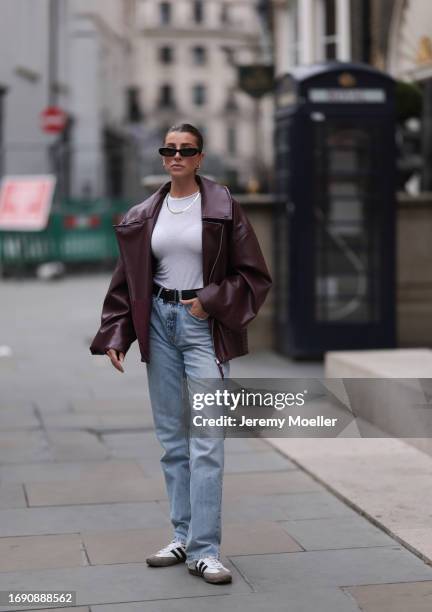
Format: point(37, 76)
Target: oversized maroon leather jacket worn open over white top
point(236, 278)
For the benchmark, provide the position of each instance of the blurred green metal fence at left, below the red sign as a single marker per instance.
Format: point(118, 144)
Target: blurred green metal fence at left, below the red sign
point(77, 231)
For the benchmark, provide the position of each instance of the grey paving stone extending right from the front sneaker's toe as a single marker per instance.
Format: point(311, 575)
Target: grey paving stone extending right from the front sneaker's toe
point(347, 567)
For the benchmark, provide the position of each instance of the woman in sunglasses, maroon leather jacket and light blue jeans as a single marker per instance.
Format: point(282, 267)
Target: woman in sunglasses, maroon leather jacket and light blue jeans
point(189, 279)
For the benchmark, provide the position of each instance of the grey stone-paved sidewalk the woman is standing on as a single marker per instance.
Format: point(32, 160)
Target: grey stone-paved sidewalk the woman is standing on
point(82, 500)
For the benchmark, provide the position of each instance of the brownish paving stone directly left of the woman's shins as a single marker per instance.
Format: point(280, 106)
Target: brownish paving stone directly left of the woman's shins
point(95, 490)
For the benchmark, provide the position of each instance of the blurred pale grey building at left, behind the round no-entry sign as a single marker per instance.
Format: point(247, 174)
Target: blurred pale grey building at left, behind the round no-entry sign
point(78, 55)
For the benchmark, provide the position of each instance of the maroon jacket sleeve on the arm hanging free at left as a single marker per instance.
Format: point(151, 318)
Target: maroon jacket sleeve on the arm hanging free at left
point(116, 330)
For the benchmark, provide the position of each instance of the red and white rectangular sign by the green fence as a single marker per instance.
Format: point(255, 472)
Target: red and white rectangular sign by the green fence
point(25, 202)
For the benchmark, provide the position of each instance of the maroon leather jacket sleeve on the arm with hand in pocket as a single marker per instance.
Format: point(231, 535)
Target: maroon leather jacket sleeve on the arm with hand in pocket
point(236, 300)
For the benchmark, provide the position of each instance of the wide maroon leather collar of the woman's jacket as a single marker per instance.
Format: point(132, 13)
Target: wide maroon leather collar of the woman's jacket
point(216, 201)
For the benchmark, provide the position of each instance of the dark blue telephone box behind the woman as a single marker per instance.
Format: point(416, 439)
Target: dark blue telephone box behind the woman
point(334, 221)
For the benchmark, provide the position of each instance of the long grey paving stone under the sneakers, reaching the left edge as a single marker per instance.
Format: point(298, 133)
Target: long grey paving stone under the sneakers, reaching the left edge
point(122, 582)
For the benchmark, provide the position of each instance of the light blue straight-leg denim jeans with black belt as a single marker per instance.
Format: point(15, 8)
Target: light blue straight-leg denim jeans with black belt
point(181, 349)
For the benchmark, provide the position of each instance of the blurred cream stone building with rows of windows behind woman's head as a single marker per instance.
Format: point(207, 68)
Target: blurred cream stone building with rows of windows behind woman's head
point(187, 59)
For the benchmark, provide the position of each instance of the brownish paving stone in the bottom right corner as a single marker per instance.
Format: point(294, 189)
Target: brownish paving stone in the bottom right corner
point(412, 596)
